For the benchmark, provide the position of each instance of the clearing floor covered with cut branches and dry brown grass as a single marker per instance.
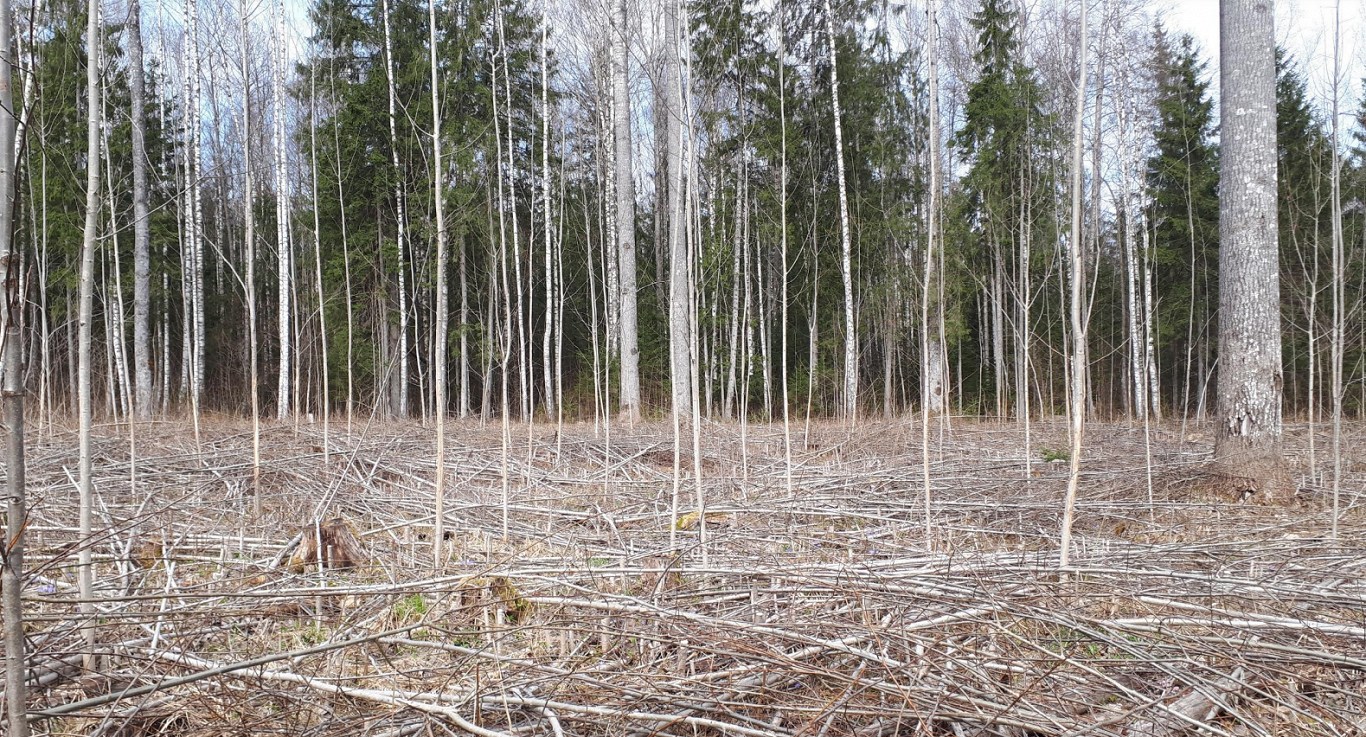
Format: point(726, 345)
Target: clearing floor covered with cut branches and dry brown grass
point(815, 609)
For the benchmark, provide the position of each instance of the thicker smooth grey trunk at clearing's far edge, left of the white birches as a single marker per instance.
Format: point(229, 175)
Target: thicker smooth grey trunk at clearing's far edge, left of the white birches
point(141, 227)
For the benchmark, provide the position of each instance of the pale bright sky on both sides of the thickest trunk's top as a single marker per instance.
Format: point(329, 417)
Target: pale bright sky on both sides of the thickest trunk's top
point(1305, 28)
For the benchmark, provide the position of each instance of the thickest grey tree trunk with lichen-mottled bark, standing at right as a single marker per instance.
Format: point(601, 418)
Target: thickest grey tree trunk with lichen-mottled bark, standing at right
point(1248, 440)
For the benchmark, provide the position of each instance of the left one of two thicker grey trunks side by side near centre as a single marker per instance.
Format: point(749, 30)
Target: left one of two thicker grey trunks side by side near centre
point(625, 185)
